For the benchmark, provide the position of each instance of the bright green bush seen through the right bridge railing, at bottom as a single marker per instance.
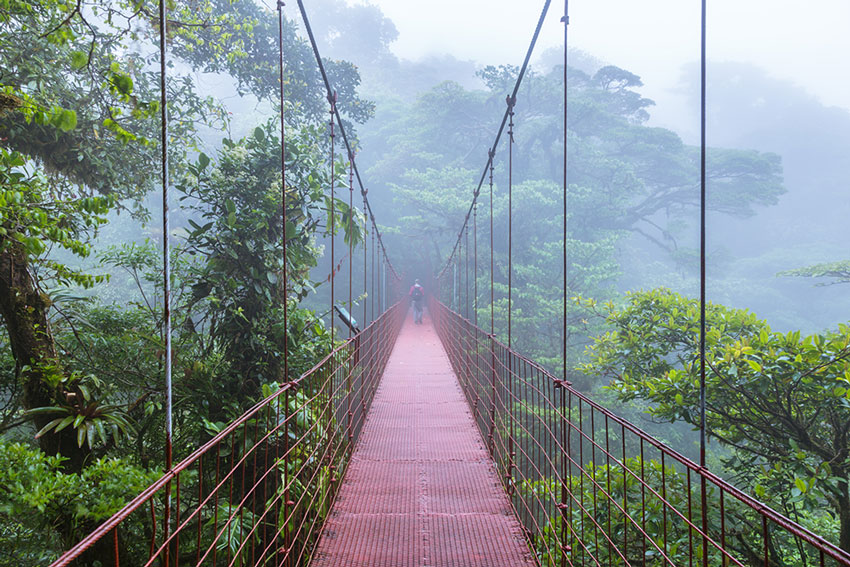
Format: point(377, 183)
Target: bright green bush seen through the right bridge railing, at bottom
point(610, 505)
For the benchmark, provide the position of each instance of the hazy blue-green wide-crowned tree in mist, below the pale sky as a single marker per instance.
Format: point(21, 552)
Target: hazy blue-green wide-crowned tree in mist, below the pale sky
point(624, 175)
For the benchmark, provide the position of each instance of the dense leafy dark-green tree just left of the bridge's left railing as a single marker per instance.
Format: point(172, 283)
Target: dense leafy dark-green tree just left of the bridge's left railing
point(237, 294)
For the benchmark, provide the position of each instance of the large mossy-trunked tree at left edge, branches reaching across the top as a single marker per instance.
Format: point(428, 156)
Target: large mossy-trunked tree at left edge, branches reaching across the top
point(79, 124)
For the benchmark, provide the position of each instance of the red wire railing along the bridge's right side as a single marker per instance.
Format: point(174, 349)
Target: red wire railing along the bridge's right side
point(593, 489)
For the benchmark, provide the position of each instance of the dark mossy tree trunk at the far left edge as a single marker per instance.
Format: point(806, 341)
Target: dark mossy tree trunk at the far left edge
point(24, 310)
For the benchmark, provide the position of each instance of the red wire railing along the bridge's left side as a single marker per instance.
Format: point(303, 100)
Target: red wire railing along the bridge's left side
point(258, 492)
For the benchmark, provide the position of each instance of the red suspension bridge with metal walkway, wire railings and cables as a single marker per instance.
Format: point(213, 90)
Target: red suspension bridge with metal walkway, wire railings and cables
point(438, 444)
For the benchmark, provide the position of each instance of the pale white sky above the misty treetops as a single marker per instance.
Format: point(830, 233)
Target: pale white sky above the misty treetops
point(807, 42)
